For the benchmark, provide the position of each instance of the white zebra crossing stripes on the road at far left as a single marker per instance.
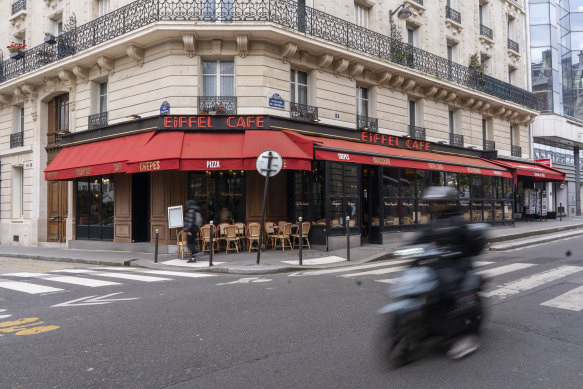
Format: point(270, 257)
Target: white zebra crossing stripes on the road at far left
point(58, 280)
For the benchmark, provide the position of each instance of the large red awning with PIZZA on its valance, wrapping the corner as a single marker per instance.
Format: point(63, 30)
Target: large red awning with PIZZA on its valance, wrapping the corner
point(176, 150)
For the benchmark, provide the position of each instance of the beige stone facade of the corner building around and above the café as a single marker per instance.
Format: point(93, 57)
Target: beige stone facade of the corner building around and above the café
point(162, 61)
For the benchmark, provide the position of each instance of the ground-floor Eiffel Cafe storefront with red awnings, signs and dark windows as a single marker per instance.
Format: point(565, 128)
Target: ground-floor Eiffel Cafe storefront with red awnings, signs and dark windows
point(125, 177)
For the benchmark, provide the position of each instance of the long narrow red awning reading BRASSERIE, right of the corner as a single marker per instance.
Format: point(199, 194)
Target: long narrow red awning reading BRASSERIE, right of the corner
point(346, 151)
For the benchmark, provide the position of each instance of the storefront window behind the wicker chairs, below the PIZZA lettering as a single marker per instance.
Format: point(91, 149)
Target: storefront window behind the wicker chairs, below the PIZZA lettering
point(221, 195)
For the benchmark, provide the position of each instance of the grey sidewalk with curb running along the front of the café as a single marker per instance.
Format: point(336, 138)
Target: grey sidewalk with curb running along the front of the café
point(277, 261)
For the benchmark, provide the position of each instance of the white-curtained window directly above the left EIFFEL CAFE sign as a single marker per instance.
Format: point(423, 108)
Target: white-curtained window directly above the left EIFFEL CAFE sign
point(218, 78)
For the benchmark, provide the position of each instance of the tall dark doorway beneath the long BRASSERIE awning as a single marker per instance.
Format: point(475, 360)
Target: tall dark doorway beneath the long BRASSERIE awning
point(371, 204)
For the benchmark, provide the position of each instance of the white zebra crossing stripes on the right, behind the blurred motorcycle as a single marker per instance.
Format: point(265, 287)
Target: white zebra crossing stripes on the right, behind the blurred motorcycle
point(513, 275)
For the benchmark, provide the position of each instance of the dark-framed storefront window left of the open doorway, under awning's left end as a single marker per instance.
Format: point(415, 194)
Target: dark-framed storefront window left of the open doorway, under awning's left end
point(95, 208)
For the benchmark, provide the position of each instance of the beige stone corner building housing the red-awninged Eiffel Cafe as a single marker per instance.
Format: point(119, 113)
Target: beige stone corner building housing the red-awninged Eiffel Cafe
point(364, 116)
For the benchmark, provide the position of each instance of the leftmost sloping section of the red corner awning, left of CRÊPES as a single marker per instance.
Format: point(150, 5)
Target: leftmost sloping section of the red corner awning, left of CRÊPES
point(96, 158)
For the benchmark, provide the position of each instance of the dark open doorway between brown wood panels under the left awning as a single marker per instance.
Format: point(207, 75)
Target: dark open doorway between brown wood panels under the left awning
point(140, 207)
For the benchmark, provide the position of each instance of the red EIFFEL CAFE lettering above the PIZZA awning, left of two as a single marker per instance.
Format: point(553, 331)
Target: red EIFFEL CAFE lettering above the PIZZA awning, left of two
point(195, 122)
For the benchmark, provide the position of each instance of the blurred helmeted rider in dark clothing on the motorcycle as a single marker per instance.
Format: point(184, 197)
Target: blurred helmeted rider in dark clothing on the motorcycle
point(449, 231)
